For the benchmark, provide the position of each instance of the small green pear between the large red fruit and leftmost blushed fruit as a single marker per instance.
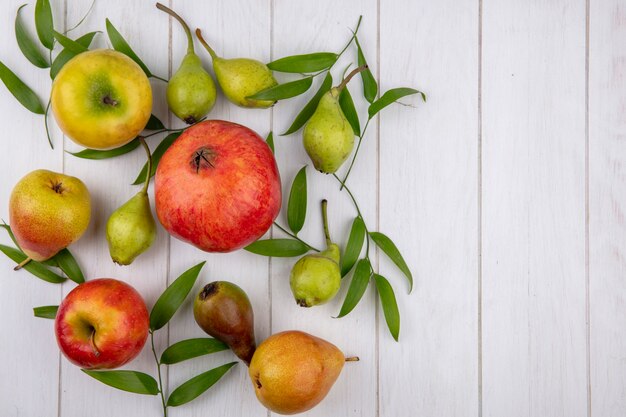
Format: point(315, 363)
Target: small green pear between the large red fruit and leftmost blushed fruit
point(131, 229)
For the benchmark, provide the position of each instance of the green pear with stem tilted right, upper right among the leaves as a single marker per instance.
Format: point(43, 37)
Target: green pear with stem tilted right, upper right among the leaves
point(328, 137)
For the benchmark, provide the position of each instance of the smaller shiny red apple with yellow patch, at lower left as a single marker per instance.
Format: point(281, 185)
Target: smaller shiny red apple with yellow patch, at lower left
point(102, 324)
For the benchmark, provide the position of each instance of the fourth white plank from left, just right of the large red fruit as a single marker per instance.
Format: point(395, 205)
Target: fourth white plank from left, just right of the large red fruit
point(303, 27)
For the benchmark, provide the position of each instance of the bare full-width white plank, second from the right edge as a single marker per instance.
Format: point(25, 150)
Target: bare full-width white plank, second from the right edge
point(533, 188)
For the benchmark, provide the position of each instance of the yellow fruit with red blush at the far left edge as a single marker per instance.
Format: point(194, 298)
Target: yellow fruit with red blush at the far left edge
point(48, 211)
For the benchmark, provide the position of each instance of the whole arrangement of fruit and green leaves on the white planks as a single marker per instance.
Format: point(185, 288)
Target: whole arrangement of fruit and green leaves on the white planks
point(217, 186)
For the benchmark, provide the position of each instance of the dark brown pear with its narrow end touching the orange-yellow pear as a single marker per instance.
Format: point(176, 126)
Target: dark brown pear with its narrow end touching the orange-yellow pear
point(223, 310)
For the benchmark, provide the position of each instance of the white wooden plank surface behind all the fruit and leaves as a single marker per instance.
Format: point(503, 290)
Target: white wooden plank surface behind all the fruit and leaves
point(506, 193)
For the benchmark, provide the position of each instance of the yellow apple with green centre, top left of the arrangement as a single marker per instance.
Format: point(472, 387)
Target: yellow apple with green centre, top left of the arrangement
point(101, 99)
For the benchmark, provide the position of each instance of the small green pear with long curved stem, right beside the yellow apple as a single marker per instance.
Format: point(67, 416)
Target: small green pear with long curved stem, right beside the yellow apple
point(191, 91)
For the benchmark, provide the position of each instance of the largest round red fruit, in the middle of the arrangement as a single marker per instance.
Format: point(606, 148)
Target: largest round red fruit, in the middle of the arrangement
point(218, 187)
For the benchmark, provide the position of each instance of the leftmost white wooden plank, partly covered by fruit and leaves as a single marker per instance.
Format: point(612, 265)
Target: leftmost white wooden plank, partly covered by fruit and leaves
point(32, 364)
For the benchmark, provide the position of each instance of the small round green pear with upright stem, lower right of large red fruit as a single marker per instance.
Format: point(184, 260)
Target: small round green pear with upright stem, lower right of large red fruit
point(315, 279)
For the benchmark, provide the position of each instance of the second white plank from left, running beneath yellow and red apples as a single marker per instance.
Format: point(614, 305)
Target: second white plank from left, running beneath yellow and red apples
point(109, 182)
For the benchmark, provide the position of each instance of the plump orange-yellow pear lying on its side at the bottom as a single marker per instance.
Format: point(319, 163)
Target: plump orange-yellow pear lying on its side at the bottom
point(293, 371)
